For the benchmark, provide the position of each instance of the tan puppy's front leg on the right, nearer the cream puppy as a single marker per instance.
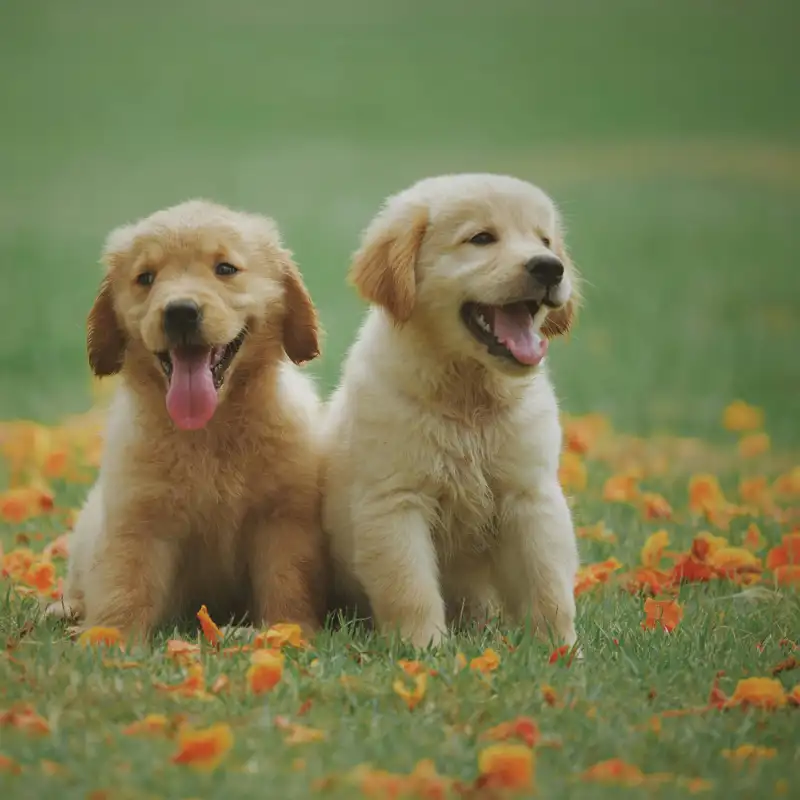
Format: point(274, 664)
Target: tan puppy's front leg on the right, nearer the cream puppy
point(287, 571)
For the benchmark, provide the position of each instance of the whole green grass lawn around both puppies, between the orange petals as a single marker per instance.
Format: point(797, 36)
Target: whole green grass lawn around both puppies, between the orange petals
point(668, 133)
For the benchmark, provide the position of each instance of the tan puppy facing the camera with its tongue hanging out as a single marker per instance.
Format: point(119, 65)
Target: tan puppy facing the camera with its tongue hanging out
point(208, 489)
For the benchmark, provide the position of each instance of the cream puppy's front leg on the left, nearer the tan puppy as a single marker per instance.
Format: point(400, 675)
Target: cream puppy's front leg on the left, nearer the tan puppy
point(395, 561)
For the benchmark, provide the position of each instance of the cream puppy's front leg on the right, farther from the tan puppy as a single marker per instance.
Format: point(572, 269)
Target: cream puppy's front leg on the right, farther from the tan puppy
point(537, 559)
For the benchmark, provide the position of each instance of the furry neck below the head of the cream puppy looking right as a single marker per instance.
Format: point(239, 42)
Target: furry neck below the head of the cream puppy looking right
point(460, 387)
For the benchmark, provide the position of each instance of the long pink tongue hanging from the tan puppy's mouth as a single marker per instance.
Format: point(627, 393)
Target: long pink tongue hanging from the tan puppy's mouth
point(192, 397)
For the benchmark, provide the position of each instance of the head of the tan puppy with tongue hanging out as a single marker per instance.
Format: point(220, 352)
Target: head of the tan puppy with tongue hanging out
point(193, 295)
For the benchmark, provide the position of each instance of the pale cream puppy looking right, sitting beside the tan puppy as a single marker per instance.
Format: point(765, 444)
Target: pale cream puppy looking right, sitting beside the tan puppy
point(440, 491)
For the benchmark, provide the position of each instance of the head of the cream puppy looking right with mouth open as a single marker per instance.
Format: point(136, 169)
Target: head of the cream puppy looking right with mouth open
point(476, 261)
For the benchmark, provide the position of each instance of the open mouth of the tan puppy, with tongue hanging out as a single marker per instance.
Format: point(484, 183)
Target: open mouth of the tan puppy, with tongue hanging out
point(196, 373)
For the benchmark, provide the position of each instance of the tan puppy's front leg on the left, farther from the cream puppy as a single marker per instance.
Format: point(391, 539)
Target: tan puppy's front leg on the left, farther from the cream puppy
point(131, 579)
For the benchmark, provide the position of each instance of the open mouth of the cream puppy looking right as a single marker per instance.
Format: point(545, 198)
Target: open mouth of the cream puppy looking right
point(507, 331)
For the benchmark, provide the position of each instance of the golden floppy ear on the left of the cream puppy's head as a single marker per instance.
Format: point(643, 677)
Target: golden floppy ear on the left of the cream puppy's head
point(383, 268)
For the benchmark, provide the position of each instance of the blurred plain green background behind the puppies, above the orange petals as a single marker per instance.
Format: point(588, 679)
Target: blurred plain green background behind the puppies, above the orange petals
point(667, 132)
